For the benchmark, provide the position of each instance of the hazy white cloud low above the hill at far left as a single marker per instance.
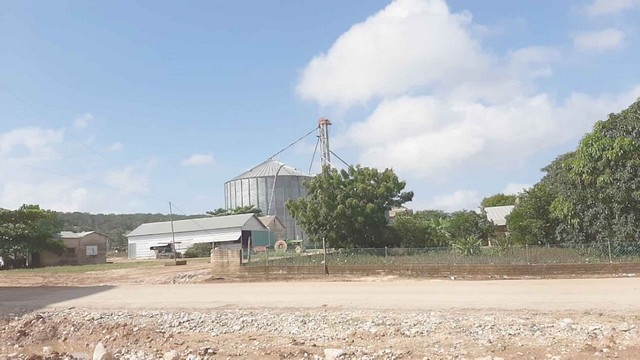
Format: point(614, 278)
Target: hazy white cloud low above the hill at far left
point(39, 167)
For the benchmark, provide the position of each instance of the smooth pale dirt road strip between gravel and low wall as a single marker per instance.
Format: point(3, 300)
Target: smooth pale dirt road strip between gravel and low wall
point(609, 295)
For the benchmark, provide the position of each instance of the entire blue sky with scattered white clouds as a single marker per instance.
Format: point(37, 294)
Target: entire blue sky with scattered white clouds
point(121, 107)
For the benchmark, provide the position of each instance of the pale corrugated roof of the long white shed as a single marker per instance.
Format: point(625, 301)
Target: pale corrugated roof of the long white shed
point(200, 224)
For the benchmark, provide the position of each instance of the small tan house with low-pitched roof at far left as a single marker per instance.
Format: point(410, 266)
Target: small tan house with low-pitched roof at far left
point(88, 247)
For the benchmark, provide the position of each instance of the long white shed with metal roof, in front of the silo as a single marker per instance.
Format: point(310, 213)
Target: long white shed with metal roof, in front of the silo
point(231, 231)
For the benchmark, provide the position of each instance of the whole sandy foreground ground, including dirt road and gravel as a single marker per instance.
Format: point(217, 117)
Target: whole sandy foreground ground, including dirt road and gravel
point(141, 313)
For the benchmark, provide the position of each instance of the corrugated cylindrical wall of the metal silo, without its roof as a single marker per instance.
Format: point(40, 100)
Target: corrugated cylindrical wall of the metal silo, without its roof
point(258, 192)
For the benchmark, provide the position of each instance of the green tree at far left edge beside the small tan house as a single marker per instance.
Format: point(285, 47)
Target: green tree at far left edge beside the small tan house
point(27, 230)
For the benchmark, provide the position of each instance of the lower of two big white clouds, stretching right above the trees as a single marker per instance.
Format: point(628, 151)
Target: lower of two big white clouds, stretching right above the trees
point(428, 136)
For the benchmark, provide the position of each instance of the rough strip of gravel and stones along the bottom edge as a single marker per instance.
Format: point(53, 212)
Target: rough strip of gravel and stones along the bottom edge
point(316, 334)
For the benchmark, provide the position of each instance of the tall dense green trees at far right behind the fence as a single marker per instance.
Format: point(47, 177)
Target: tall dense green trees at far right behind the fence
point(589, 195)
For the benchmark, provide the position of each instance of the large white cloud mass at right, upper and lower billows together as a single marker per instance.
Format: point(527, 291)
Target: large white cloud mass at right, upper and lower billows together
point(440, 102)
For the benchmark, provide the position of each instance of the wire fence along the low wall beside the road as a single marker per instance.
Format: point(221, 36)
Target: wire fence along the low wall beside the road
point(512, 255)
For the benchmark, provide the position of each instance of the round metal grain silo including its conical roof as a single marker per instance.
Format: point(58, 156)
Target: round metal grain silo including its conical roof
point(267, 187)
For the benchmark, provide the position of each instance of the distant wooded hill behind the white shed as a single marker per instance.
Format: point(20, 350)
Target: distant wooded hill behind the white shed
point(115, 226)
